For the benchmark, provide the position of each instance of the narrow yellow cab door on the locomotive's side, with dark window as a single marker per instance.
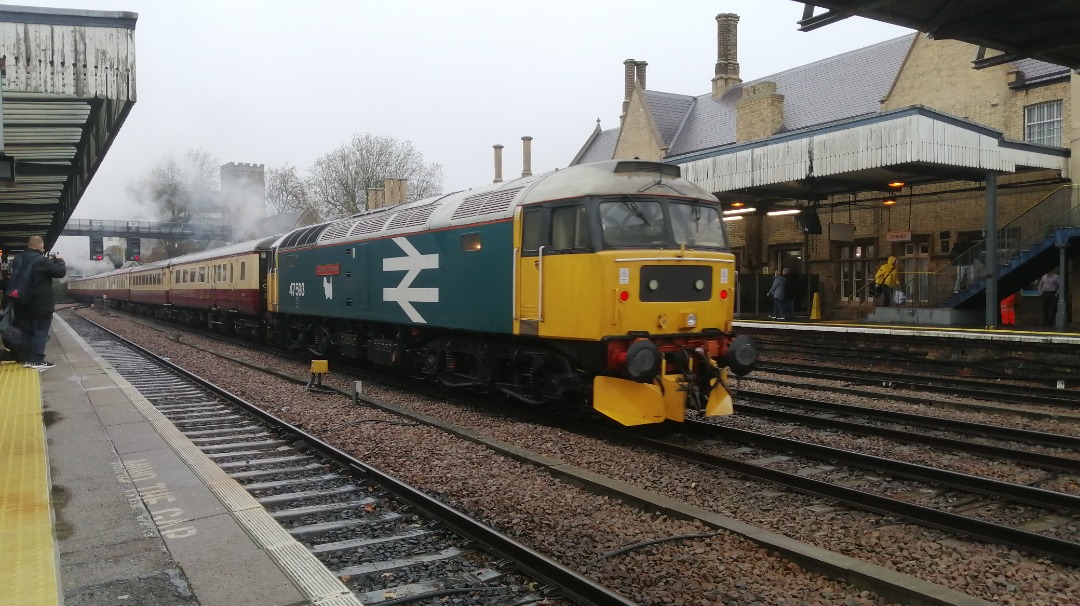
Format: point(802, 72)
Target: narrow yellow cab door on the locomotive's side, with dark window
point(529, 271)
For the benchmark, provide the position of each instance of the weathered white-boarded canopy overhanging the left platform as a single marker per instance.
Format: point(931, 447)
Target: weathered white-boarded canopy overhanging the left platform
point(69, 86)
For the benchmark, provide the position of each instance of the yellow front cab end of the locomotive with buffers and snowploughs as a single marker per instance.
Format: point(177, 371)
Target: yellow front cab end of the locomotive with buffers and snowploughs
point(638, 286)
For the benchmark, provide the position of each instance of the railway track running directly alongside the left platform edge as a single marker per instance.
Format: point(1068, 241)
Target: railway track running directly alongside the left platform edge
point(388, 542)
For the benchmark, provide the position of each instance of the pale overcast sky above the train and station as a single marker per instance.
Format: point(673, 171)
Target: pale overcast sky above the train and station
point(277, 83)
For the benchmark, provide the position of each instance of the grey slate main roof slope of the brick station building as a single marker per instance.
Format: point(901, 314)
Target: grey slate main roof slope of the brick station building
point(833, 89)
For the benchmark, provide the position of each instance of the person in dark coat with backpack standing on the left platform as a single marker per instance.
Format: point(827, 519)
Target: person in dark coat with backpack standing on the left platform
point(34, 317)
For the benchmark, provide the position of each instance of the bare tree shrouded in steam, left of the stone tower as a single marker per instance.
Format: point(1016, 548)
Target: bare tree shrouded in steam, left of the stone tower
point(180, 193)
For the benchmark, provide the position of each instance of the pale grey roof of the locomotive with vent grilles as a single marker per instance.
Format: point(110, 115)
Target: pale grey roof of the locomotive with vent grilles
point(499, 201)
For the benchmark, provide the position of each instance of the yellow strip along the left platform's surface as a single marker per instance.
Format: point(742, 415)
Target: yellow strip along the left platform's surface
point(28, 548)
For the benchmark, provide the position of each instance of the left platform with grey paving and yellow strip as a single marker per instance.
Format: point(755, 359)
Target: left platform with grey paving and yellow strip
point(123, 508)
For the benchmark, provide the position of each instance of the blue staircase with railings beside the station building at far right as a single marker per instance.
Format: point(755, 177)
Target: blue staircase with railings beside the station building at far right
point(1028, 249)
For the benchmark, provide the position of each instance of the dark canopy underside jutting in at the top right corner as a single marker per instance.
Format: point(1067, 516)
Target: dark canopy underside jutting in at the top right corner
point(1041, 30)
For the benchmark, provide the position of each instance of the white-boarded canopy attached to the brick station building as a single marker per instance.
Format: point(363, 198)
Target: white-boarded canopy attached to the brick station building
point(914, 146)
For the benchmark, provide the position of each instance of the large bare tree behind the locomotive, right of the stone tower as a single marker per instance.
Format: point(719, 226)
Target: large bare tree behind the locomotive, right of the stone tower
point(339, 182)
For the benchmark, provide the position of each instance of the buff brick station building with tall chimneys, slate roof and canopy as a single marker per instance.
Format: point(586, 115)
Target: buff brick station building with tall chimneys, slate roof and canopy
point(804, 159)
